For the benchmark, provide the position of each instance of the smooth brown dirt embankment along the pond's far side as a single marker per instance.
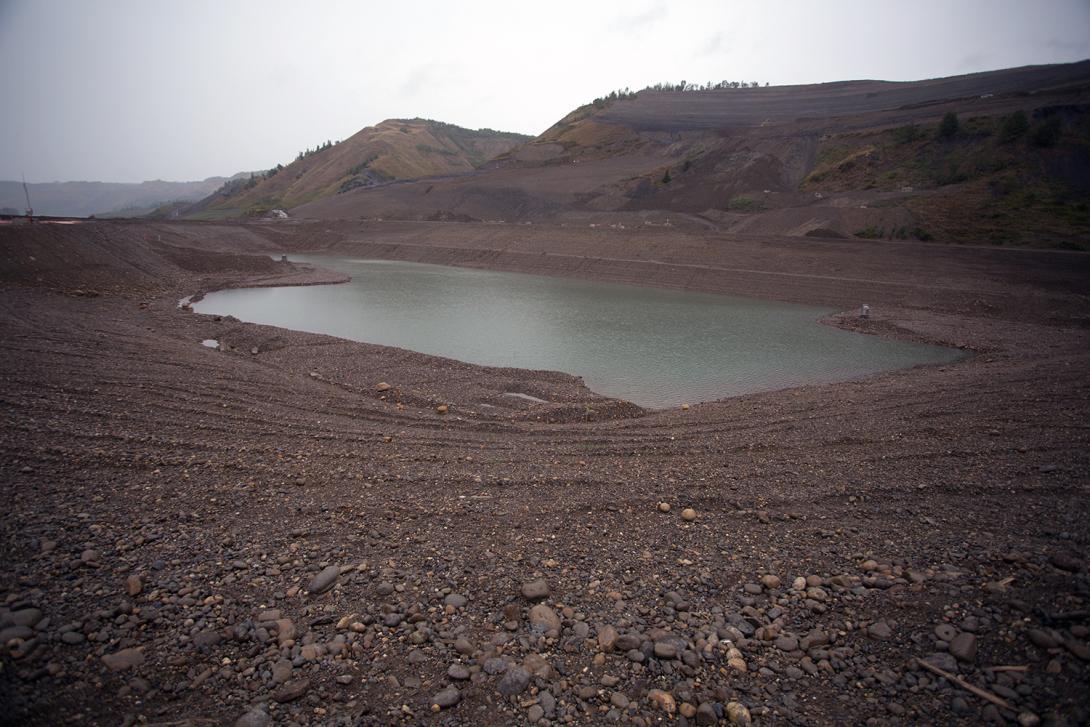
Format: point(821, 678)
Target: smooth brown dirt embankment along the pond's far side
point(986, 283)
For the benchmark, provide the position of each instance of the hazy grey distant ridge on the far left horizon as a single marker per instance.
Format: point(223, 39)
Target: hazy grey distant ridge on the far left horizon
point(87, 199)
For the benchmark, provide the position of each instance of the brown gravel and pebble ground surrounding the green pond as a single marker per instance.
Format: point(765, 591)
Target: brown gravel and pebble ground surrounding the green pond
point(264, 532)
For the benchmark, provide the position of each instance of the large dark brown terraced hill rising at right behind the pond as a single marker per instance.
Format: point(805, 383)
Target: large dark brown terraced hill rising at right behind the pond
point(847, 159)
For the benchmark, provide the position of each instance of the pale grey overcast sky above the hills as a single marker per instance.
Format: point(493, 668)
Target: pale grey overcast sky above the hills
point(181, 90)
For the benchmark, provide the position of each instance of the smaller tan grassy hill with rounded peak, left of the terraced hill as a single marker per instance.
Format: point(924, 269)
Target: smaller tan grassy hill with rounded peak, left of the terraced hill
point(394, 150)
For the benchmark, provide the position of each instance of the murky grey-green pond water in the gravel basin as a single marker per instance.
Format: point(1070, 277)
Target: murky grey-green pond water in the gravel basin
point(656, 348)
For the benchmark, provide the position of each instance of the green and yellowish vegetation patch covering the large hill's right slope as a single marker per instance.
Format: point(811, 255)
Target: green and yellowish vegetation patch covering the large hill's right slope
point(994, 181)
